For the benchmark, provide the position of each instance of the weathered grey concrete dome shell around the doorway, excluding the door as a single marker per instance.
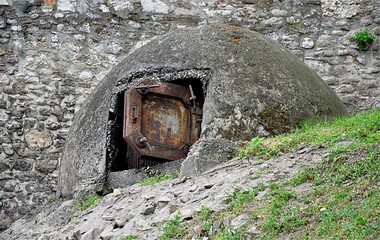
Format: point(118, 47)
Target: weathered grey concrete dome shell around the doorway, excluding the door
point(252, 86)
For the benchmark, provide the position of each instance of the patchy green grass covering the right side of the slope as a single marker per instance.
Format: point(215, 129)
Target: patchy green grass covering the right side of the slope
point(342, 197)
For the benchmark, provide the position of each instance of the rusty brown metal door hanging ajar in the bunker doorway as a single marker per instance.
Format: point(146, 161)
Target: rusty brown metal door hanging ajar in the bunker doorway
point(161, 121)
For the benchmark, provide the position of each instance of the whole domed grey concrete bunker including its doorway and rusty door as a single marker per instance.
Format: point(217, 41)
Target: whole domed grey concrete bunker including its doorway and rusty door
point(248, 85)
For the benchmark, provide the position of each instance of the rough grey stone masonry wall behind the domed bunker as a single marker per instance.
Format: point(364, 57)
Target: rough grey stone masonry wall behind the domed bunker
point(54, 53)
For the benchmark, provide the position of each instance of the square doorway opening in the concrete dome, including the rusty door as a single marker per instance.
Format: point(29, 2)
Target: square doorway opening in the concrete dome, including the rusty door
point(154, 122)
